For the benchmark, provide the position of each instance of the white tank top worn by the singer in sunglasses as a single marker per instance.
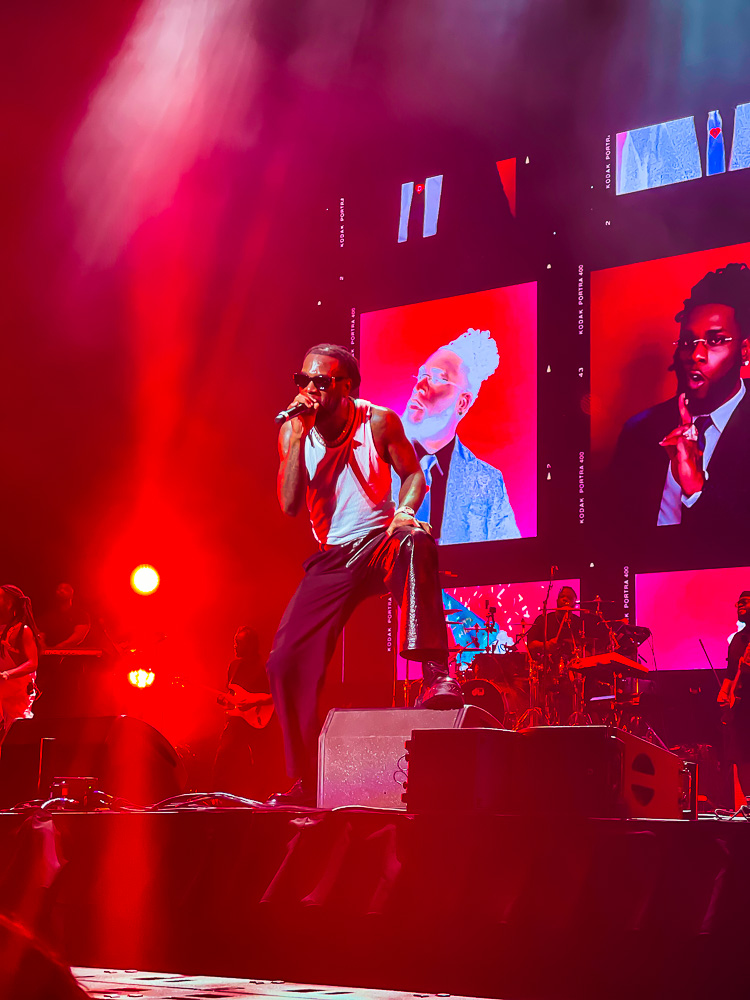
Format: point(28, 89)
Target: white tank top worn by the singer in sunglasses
point(348, 486)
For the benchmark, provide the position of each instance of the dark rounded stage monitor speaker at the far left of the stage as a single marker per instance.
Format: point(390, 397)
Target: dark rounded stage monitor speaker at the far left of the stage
point(129, 758)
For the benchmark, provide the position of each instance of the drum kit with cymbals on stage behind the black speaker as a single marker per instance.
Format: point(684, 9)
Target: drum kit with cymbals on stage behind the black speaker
point(591, 675)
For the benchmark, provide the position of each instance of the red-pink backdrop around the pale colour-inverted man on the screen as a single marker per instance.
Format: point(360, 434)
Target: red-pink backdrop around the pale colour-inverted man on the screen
point(500, 427)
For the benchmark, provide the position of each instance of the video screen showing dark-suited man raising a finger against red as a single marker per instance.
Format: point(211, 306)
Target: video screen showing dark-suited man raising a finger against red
point(670, 422)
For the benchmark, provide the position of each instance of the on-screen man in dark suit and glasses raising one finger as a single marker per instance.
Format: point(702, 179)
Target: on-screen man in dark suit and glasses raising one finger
point(684, 460)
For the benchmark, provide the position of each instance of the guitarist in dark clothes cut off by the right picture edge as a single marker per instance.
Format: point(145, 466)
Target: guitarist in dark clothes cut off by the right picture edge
point(734, 696)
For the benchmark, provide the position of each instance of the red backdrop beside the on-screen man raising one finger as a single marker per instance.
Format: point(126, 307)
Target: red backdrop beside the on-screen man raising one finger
point(632, 333)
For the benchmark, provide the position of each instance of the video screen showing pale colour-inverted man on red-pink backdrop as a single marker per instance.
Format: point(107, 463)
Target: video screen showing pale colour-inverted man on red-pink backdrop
point(461, 372)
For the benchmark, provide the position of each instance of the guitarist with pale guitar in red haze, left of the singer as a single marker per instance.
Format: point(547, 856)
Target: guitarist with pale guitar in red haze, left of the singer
point(248, 759)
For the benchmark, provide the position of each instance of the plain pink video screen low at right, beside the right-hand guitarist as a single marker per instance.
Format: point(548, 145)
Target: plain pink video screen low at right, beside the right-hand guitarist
point(683, 609)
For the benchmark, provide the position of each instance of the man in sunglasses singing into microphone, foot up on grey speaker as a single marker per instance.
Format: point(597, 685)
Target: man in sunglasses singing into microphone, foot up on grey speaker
point(337, 458)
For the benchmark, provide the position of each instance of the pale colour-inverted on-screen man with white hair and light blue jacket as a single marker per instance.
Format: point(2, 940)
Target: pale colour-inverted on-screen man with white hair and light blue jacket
point(467, 501)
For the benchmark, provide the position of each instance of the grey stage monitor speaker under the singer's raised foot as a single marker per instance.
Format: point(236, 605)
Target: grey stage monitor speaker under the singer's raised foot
point(361, 751)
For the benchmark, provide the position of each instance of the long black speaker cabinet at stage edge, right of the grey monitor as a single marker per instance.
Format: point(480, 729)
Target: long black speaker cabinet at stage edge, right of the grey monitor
point(560, 770)
